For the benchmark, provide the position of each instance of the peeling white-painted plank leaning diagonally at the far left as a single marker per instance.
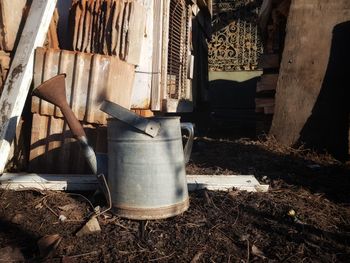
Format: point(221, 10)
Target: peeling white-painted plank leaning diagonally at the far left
point(20, 74)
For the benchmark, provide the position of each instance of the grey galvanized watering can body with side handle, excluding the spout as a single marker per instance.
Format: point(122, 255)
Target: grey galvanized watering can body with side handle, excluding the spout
point(146, 175)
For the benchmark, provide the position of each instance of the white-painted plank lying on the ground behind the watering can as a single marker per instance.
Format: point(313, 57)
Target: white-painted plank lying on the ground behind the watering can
point(88, 182)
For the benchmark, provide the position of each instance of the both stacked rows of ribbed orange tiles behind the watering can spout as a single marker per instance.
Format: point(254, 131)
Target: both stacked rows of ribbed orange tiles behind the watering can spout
point(90, 79)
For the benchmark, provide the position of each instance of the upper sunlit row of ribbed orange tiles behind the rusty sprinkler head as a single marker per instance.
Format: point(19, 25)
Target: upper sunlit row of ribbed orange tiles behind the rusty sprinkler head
point(91, 78)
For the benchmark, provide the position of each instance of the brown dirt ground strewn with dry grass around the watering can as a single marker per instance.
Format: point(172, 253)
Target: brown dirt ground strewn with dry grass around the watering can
point(219, 226)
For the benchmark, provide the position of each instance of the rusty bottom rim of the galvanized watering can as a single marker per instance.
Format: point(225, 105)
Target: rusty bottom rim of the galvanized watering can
point(151, 213)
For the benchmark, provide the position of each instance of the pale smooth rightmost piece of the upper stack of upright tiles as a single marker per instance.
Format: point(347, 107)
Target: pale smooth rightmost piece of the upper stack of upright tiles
point(136, 33)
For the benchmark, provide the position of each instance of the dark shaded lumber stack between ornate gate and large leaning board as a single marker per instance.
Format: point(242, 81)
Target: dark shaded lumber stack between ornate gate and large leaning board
point(273, 23)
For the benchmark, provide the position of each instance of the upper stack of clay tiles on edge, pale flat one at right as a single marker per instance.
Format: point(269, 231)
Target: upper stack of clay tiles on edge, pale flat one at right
point(108, 27)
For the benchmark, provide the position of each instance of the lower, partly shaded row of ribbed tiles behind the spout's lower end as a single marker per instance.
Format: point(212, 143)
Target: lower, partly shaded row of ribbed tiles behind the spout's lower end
point(54, 150)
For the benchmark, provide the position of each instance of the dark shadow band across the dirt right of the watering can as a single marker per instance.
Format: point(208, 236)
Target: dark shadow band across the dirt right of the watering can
point(274, 166)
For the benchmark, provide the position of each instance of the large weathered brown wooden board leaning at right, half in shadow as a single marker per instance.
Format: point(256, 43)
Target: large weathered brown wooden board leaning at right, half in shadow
point(312, 99)
